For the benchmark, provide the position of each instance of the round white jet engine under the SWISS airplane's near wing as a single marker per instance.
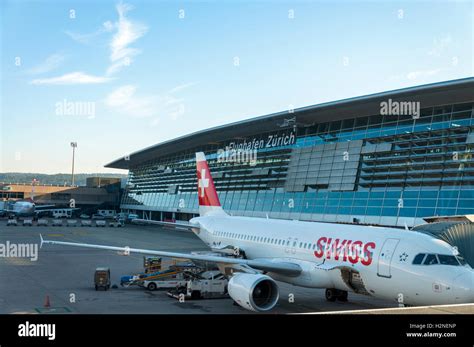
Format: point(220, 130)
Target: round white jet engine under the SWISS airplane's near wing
point(253, 292)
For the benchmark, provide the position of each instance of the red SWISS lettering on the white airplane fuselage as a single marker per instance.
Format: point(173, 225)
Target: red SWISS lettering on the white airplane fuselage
point(345, 250)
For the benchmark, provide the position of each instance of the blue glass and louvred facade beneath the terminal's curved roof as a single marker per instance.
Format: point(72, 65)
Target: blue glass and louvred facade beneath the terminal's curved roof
point(386, 170)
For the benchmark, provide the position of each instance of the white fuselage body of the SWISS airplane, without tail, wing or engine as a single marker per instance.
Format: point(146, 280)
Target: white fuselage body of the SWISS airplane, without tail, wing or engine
point(370, 260)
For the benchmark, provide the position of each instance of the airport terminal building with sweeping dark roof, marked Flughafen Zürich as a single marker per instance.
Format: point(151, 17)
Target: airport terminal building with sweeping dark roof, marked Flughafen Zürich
point(390, 158)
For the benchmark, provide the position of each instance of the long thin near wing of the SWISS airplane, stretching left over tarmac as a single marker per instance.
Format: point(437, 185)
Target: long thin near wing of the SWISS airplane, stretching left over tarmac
point(281, 267)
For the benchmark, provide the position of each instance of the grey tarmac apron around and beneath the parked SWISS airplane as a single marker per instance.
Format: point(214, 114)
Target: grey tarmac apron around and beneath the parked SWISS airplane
point(63, 275)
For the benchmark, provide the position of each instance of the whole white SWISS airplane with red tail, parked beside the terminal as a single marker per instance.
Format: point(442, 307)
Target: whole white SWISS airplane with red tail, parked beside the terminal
point(399, 265)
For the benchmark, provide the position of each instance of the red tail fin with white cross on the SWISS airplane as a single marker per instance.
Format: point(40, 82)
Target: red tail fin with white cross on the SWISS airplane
point(208, 200)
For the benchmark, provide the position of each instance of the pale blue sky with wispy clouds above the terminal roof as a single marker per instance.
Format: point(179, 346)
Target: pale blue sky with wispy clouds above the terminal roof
point(157, 70)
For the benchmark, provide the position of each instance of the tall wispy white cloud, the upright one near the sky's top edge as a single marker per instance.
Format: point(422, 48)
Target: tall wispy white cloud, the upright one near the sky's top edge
point(127, 33)
